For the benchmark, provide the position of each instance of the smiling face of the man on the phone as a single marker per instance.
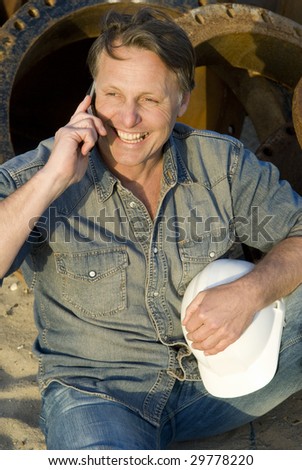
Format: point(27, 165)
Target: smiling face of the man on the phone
point(138, 100)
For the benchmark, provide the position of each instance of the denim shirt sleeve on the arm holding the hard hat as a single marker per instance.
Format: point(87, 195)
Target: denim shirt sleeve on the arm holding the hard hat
point(266, 208)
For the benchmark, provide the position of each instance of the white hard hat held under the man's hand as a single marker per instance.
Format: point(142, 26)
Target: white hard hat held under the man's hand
point(249, 363)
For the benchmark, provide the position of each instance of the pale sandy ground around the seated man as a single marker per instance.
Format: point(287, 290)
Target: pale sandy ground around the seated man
point(20, 400)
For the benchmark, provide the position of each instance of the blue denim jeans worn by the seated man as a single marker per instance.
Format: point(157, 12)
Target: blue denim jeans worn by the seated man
point(73, 419)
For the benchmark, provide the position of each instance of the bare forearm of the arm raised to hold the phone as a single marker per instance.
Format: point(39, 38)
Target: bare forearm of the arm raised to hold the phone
point(20, 211)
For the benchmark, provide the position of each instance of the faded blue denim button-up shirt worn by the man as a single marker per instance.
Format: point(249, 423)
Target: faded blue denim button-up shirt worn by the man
point(108, 280)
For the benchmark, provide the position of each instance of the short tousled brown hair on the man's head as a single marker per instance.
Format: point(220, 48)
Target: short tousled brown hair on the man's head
point(148, 29)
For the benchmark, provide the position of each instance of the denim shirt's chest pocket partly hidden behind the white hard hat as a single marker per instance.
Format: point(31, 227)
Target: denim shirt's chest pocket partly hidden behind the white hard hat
point(196, 255)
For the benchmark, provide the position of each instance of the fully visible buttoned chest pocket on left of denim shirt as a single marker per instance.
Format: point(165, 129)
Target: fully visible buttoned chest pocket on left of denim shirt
point(94, 282)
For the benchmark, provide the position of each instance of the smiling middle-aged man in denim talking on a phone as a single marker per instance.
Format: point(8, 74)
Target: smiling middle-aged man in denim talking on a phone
point(113, 218)
